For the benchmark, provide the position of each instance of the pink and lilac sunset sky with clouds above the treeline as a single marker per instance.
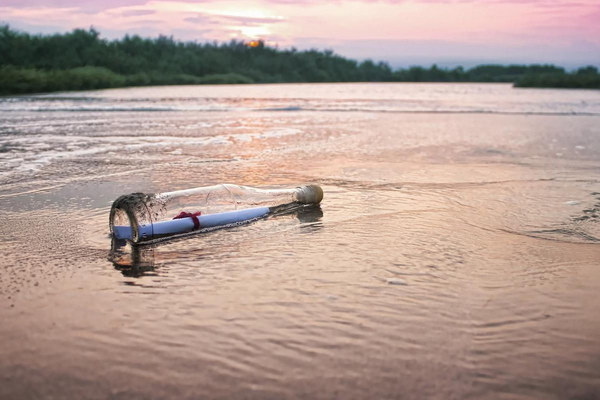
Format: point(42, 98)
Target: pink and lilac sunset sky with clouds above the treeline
point(409, 32)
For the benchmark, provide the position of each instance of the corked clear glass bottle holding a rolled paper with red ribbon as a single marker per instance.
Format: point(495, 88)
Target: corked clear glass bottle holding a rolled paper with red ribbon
point(141, 217)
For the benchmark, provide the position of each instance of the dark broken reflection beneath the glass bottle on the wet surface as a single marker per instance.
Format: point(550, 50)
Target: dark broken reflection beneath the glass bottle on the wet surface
point(136, 261)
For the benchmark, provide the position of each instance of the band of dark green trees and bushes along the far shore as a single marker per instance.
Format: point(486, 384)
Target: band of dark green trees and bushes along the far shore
point(81, 60)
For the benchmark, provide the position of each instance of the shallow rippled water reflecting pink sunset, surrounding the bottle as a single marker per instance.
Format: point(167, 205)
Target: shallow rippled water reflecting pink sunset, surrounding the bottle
point(455, 254)
